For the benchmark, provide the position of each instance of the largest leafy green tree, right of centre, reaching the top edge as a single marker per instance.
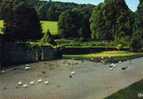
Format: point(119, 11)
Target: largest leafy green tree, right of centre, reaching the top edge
point(112, 20)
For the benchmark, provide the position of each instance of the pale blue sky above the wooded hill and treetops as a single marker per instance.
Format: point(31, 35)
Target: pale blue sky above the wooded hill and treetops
point(132, 4)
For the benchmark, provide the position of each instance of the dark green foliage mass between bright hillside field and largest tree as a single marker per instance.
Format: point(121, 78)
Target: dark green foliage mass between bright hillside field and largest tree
point(75, 23)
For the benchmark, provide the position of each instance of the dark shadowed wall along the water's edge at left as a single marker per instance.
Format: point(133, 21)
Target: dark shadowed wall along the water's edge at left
point(13, 53)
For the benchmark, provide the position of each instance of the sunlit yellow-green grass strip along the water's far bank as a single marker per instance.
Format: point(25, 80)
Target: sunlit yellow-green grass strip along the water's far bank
point(106, 54)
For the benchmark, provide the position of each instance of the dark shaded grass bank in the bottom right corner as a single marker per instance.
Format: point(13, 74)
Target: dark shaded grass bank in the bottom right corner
point(134, 91)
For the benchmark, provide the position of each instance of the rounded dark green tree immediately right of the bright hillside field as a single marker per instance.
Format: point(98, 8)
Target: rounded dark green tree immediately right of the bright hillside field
point(69, 24)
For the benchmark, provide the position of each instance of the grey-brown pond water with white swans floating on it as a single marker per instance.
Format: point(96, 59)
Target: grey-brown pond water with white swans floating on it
point(90, 81)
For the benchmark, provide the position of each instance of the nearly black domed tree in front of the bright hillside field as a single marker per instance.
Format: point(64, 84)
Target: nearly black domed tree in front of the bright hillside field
point(25, 25)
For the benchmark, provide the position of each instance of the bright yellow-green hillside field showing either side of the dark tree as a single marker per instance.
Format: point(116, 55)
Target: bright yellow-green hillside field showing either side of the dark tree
point(51, 25)
